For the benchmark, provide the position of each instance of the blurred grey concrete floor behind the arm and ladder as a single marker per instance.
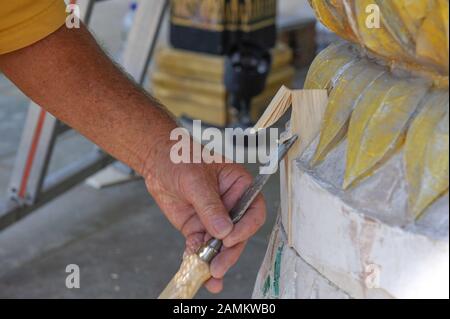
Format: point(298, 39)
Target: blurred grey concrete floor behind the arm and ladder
point(118, 236)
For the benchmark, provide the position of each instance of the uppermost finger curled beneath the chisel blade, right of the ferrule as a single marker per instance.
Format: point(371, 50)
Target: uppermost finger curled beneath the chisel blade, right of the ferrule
point(250, 223)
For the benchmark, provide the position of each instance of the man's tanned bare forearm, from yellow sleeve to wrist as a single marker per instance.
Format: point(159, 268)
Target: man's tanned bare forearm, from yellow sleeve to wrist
point(70, 76)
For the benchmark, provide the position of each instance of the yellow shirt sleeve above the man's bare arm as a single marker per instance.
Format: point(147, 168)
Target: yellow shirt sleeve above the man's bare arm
point(24, 22)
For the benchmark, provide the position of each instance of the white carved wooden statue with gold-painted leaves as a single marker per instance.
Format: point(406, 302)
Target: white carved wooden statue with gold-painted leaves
point(365, 203)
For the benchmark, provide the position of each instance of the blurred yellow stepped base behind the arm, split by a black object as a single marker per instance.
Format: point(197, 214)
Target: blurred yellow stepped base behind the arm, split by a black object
point(191, 84)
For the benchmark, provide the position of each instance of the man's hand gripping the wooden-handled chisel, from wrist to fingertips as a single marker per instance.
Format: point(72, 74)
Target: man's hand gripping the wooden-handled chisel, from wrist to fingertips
point(197, 198)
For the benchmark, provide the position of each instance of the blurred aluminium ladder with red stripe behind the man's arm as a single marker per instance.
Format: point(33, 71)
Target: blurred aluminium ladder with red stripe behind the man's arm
point(30, 186)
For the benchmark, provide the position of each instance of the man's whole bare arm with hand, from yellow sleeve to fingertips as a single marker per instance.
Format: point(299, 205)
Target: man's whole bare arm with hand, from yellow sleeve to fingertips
point(68, 74)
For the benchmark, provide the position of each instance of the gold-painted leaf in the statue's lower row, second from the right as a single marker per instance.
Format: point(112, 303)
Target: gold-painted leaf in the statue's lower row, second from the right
point(379, 123)
